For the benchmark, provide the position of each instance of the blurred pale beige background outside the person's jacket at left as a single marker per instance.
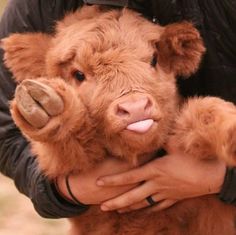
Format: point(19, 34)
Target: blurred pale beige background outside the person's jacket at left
point(17, 215)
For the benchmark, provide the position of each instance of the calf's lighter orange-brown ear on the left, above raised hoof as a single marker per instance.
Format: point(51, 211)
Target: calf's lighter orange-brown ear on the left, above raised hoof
point(24, 54)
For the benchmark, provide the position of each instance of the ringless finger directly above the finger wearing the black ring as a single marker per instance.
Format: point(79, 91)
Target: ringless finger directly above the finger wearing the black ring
point(129, 198)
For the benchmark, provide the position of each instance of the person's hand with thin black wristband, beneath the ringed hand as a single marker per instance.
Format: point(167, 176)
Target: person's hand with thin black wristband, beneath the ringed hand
point(84, 187)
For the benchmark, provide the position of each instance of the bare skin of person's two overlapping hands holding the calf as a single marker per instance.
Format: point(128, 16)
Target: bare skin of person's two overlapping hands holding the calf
point(168, 180)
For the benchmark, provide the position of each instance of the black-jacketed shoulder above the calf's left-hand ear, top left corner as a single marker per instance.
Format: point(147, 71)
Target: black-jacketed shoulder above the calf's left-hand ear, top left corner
point(34, 15)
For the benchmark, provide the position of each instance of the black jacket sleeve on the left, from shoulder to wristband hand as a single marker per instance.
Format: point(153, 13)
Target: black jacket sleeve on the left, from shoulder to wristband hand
point(16, 160)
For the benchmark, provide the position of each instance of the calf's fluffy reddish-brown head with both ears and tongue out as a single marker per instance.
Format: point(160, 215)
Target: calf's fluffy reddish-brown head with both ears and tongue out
point(122, 66)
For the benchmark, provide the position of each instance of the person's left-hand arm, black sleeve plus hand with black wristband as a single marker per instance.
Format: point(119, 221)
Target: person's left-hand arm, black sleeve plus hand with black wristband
point(16, 161)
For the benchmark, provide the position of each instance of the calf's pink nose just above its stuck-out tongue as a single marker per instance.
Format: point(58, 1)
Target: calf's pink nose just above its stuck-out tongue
point(134, 110)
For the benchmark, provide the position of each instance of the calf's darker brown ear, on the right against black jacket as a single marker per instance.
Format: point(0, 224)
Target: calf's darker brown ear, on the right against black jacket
point(180, 49)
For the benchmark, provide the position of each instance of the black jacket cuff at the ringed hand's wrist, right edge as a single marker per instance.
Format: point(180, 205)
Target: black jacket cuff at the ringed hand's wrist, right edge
point(228, 190)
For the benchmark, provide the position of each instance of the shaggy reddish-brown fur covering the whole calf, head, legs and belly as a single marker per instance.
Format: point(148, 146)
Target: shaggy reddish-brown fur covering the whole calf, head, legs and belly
point(74, 124)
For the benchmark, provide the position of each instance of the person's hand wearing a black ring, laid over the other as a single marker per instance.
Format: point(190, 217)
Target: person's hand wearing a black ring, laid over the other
point(167, 180)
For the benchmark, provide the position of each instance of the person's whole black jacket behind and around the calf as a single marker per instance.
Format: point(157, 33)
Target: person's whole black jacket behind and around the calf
point(216, 21)
